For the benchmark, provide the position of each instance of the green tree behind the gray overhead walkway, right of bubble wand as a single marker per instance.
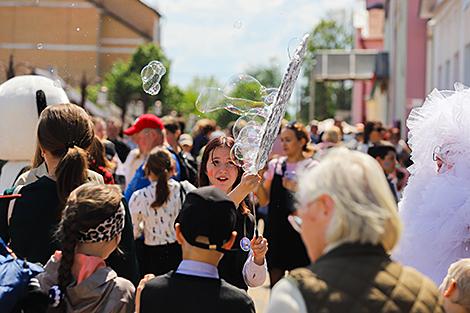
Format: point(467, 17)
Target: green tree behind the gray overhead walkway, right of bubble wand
point(329, 96)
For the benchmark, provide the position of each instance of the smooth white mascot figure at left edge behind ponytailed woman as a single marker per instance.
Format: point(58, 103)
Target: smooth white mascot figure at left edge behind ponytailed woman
point(22, 98)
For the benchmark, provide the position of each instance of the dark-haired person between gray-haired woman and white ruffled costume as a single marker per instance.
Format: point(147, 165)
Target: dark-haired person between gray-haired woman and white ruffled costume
point(386, 155)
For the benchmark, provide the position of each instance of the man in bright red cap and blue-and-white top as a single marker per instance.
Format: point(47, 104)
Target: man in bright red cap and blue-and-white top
point(148, 133)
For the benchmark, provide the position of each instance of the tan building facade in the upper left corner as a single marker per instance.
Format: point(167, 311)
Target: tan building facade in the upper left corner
point(73, 38)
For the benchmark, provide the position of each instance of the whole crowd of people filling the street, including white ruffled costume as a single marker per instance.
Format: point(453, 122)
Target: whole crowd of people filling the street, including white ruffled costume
point(150, 218)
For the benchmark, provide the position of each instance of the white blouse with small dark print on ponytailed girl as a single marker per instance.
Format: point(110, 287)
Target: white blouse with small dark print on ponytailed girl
point(157, 224)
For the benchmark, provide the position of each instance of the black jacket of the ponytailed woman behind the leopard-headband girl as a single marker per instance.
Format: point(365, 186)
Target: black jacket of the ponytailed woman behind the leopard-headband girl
point(35, 219)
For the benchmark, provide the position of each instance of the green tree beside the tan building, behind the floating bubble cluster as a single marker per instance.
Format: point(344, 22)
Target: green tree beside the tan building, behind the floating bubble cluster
point(124, 82)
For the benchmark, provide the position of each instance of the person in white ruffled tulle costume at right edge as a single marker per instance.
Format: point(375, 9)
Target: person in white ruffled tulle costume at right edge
point(435, 208)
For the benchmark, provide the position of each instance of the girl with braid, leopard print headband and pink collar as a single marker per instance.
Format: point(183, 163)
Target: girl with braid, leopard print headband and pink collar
point(77, 278)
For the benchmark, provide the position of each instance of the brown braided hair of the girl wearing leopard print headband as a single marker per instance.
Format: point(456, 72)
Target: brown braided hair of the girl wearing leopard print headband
point(87, 207)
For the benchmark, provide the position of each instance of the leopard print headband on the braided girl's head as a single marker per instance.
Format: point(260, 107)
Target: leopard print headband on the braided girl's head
point(107, 230)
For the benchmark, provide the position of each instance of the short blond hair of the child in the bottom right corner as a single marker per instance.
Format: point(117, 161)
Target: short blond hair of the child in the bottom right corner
point(459, 272)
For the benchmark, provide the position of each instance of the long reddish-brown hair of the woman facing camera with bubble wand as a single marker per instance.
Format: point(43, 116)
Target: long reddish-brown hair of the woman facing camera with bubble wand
point(218, 142)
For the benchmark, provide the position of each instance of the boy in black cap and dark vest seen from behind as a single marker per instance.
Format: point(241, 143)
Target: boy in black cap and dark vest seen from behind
point(205, 231)
